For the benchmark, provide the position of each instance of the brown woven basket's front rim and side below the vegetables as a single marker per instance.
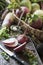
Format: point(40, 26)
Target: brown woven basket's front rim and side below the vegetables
point(31, 31)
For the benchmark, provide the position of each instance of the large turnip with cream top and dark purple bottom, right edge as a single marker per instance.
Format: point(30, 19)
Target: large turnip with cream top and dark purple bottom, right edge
point(37, 19)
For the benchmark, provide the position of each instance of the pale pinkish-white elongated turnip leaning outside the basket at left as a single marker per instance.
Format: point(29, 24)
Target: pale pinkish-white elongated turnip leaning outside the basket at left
point(9, 18)
